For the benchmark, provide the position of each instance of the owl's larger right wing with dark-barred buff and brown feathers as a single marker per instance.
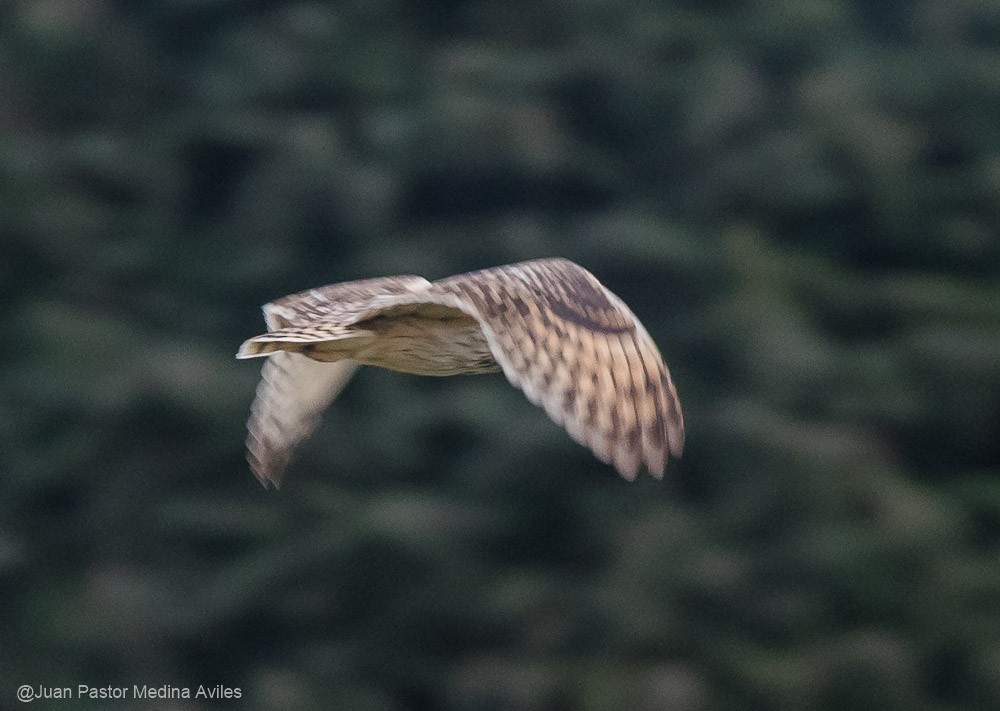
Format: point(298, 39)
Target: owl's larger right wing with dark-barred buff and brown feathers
point(576, 350)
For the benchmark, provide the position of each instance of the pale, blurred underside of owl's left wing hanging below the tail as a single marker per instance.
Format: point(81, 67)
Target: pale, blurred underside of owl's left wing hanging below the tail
point(293, 392)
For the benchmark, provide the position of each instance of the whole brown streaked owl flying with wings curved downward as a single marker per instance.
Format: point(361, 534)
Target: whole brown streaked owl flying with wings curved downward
point(572, 346)
